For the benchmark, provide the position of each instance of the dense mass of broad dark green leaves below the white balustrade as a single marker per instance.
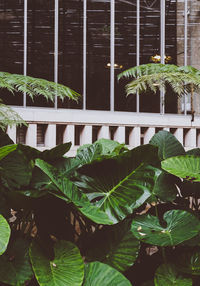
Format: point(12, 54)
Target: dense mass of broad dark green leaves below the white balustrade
point(109, 216)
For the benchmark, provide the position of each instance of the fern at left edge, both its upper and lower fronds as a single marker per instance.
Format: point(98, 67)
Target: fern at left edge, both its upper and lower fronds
point(33, 87)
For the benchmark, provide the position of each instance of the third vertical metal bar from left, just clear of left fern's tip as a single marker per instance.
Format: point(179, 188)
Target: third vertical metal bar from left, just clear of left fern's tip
point(84, 52)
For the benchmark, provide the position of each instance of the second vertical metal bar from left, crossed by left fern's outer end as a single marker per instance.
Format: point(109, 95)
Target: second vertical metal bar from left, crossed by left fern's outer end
point(56, 19)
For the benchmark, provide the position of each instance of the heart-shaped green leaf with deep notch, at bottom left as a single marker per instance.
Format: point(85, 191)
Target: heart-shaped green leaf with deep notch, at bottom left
point(67, 267)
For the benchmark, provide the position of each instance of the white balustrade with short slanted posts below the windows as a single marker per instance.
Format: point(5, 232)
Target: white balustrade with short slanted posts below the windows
point(81, 127)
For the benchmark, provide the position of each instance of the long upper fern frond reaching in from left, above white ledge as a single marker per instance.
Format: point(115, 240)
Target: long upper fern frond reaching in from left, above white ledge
point(35, 86)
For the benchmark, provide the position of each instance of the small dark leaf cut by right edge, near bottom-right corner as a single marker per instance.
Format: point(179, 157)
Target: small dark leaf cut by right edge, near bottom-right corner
point(189, 262)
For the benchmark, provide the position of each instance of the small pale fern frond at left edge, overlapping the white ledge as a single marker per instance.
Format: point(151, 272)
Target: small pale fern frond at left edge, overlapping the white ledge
point(8, 117)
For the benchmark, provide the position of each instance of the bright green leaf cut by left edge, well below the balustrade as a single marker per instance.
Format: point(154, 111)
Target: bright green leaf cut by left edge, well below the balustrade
point(4, 234)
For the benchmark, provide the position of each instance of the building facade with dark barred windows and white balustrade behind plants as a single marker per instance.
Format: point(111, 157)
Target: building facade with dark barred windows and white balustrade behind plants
point(84, 44)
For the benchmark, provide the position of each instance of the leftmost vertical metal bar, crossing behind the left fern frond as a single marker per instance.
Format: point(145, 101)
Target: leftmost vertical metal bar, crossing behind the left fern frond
point(25, 46)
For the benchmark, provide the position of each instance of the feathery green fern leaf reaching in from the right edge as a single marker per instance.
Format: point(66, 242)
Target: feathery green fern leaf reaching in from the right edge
point(156, 76)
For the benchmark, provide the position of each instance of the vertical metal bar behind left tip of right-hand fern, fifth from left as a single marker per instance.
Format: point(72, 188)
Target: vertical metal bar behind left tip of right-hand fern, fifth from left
point(138, 51)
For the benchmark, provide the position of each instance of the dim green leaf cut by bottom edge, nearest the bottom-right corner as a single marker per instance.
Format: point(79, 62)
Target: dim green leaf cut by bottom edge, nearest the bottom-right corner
point(167, 275)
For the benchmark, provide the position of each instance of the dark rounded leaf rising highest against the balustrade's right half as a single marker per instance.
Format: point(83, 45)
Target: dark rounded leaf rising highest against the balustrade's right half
point(168, 145)
